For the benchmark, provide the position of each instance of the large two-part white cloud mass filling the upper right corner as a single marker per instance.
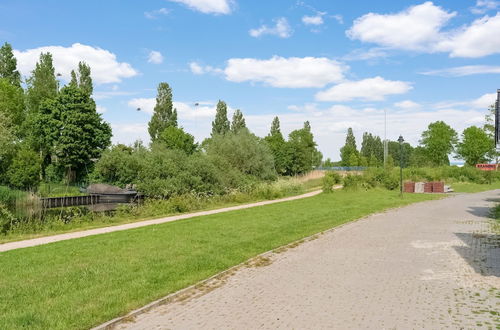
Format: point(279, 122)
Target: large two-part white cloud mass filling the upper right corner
point(420, 28)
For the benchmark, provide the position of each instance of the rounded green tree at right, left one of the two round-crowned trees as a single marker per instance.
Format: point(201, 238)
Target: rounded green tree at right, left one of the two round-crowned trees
point(439, 140)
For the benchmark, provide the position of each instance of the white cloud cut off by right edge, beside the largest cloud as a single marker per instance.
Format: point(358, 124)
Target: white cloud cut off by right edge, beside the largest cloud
point(476, 40)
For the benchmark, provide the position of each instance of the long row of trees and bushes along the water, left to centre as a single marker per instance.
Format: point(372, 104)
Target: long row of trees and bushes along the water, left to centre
point(53, 133)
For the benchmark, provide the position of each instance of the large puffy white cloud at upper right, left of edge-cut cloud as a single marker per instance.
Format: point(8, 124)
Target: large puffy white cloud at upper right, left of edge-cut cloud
point(413, 29)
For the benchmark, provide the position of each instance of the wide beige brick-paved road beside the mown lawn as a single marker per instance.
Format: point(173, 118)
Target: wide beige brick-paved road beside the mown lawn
point(430, 265)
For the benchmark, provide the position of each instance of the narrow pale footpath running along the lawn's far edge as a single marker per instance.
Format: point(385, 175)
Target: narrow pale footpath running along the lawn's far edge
point(104, 230)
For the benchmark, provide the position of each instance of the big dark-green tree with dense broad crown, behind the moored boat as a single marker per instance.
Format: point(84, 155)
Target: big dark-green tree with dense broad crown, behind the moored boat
point(74, 132)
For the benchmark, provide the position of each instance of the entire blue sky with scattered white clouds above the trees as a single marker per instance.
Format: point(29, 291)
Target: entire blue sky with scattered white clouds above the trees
point(338, 64)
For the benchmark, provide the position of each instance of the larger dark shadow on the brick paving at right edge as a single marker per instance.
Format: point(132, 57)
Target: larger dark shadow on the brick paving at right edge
point(482, 252)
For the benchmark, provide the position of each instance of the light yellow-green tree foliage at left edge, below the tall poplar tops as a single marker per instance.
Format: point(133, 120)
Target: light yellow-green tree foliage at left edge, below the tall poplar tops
point(12, 105)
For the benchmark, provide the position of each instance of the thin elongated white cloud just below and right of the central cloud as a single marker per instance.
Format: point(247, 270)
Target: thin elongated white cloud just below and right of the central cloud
point(371, 89)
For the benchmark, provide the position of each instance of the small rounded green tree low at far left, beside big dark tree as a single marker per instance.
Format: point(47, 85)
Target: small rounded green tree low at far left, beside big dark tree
point(23, 172)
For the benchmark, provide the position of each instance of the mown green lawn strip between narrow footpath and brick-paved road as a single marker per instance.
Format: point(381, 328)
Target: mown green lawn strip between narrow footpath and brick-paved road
point(81, 283)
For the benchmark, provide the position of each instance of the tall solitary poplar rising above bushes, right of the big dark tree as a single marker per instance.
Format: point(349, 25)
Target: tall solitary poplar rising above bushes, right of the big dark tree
point(164, 114)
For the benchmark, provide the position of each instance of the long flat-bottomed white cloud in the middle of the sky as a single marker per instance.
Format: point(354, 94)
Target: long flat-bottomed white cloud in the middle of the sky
point(292, 72)
